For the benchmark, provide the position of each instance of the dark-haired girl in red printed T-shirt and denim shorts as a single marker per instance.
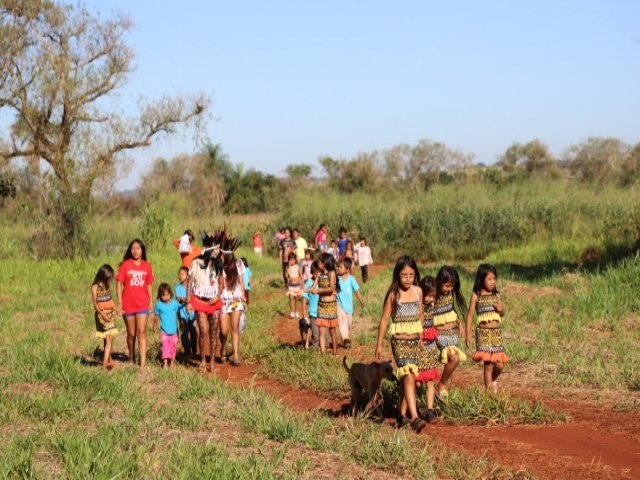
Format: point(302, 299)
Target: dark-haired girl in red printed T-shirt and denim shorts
point(135, 278)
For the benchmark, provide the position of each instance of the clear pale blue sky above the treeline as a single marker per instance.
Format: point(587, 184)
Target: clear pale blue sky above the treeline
point(294, 80)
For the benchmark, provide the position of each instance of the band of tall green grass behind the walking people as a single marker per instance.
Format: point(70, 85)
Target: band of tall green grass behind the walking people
point(473, 221)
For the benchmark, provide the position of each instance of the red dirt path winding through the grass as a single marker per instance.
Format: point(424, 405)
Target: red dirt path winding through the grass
point(597, 443)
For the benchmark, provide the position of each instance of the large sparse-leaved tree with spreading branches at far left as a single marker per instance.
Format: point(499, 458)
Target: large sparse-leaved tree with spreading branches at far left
point(59, 68)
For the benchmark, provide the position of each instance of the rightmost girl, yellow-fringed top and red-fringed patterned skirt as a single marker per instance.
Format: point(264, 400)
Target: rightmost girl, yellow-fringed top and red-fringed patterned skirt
point(485, 301)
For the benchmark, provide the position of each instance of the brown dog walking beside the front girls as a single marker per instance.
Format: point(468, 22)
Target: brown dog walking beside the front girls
point(367, 377)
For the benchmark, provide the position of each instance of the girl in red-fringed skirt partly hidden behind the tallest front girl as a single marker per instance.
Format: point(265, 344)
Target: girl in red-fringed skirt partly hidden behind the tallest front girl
point(428, 368)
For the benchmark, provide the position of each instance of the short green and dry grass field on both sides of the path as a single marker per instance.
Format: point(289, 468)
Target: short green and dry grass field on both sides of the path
point(61, 416)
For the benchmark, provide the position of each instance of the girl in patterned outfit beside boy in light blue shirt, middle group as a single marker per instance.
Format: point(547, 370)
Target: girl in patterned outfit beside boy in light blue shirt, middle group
point(326, 286)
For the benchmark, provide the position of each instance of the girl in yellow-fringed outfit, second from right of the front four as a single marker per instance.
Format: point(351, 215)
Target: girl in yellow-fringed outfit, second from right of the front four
point(448, 325)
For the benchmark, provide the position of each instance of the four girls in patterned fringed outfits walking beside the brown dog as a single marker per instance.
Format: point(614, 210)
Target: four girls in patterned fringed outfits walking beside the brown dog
point(422, 318)
